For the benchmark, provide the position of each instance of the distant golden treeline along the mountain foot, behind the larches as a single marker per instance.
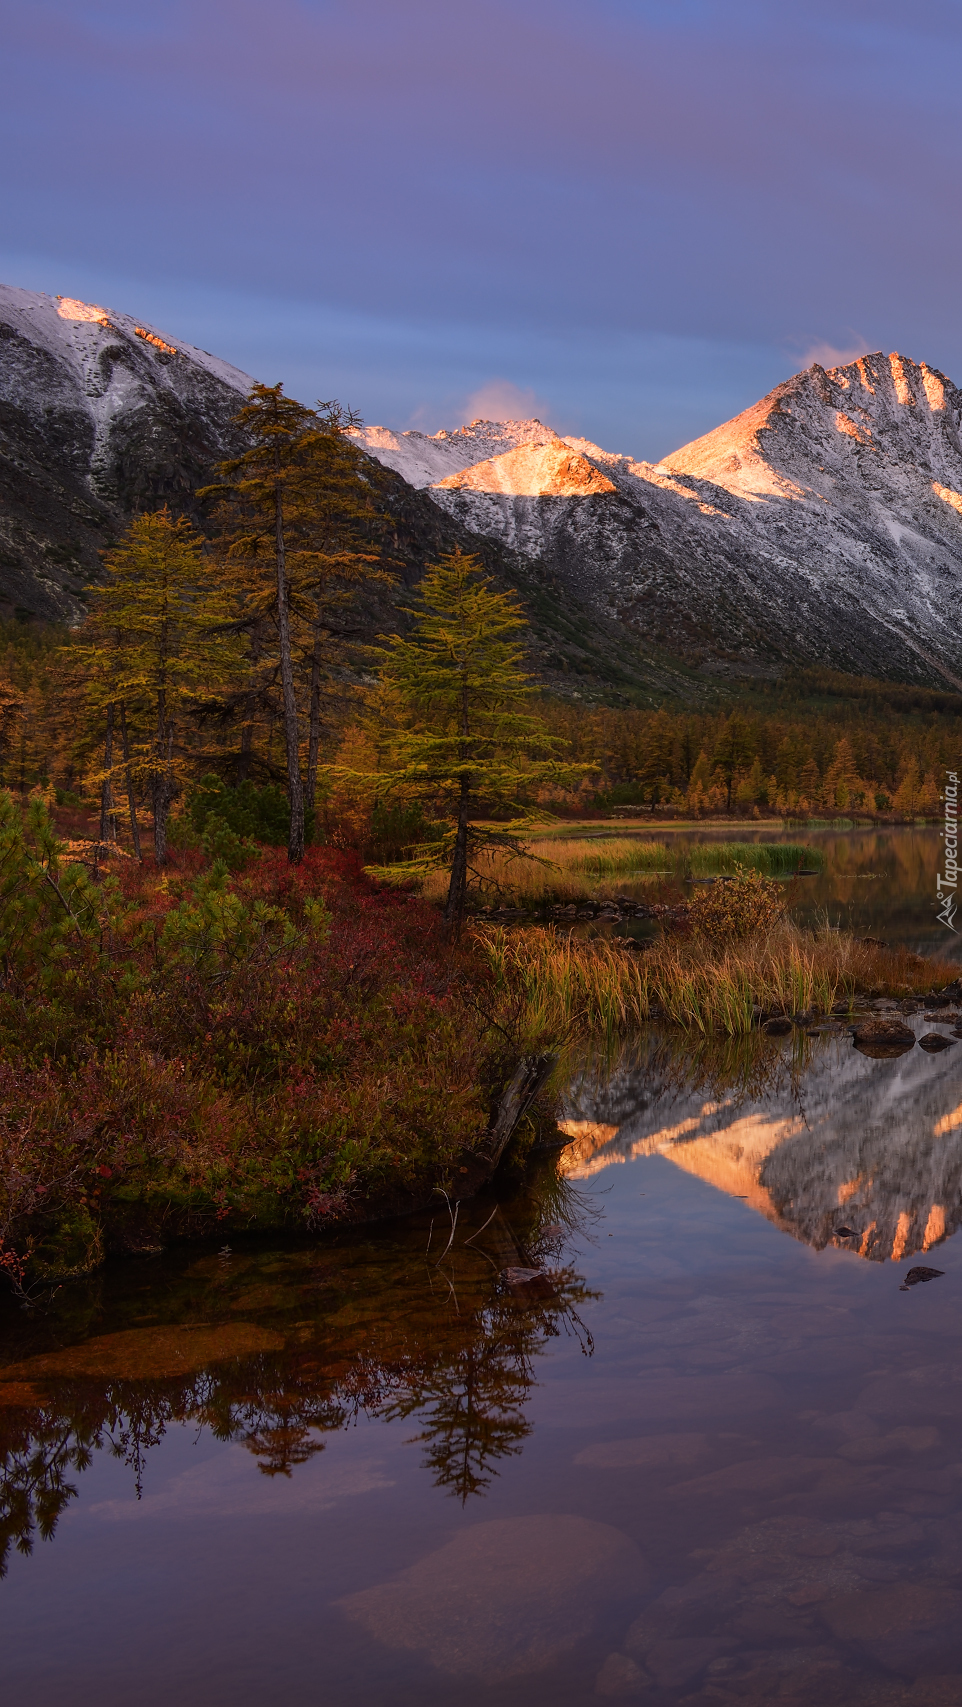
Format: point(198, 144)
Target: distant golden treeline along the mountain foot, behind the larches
point(811, 747)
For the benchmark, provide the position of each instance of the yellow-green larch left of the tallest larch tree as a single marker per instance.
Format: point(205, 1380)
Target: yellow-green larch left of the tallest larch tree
point(156, 644)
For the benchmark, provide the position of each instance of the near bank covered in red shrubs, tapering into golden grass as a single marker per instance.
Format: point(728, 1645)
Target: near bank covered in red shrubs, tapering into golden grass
point(235, 1044)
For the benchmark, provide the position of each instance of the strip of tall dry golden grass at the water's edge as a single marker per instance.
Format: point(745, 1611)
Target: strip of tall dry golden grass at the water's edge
point(574, 987)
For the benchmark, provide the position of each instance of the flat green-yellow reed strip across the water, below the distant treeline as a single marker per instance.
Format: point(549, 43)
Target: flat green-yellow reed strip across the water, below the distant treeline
point(579, 870)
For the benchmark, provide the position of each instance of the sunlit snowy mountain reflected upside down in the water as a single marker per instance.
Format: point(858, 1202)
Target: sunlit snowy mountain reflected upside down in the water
point(814, 1136)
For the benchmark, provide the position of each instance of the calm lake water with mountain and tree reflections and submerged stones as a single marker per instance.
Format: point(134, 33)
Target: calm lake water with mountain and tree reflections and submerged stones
point(710, 1454)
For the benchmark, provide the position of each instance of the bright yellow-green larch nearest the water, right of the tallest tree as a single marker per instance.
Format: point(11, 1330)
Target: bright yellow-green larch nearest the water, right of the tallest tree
point(453, 721)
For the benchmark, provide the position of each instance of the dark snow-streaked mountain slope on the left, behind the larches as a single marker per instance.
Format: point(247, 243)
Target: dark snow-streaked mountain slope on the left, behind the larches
point(100, 416)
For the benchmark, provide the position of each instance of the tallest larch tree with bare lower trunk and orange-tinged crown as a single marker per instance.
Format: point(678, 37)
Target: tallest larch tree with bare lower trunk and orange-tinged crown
point(293, 516)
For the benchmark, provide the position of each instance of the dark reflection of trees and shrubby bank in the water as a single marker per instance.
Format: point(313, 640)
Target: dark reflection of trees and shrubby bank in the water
point(357, 1327)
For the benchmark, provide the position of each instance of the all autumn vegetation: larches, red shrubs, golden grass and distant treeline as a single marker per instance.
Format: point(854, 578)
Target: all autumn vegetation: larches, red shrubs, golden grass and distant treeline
point(214, 1010)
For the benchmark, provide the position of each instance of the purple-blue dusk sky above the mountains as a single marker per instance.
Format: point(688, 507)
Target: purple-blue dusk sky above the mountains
point(630, 218)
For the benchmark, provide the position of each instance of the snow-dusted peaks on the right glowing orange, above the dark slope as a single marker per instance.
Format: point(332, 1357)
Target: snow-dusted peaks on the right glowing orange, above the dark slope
point(825, 525)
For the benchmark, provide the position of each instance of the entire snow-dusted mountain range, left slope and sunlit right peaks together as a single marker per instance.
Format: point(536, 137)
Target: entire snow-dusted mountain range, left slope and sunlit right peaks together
point(823, 527)
